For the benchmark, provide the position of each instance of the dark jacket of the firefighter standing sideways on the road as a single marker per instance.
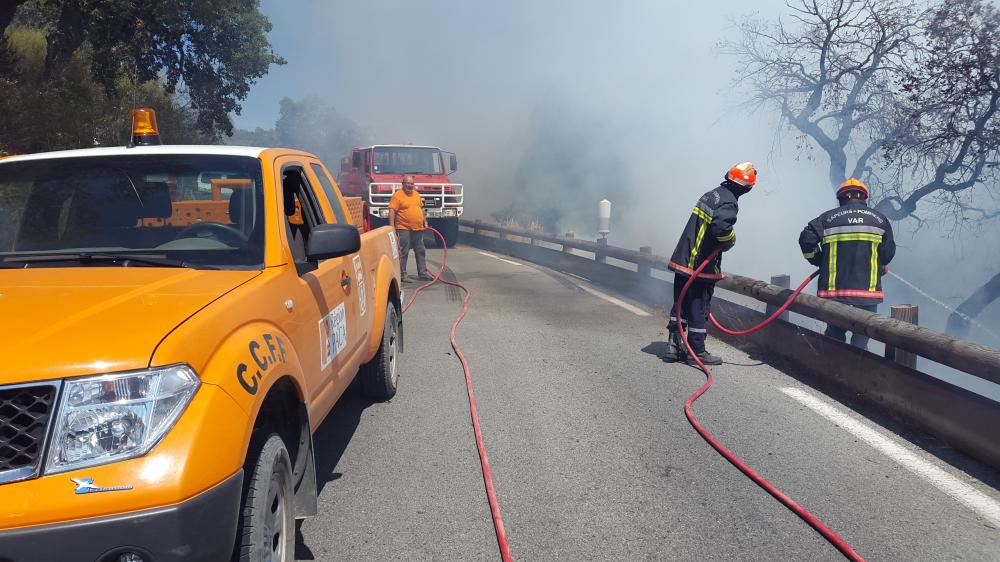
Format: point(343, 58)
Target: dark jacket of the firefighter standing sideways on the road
point(709, 226)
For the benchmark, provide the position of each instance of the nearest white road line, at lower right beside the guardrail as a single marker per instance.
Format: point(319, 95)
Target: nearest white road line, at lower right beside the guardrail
point(982, 504)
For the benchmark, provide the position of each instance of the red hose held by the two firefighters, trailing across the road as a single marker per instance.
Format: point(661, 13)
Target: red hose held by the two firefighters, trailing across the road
point(809, 518)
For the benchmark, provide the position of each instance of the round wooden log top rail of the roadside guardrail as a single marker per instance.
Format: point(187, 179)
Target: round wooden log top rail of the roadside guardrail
point(963, 355)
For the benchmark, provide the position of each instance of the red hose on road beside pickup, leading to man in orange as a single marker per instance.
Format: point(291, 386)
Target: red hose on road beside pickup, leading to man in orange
point(480, 444)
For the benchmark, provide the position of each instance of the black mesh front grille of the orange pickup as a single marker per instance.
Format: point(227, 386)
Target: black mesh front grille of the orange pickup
point(24, 417)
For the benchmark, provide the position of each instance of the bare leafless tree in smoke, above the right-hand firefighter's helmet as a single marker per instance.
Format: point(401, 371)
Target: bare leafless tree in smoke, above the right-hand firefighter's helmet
point(832, 70)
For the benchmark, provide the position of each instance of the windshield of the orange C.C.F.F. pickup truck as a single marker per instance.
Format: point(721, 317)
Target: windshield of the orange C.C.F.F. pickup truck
point(134, 211)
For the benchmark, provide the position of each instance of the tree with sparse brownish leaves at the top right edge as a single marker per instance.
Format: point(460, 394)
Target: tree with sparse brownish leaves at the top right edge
point(949, 127)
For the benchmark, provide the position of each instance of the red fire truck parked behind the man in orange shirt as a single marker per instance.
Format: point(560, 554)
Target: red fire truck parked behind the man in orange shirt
point(374, 173)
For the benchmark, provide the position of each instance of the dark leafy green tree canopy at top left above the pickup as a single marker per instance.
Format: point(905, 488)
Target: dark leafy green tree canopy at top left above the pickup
point(212, 51)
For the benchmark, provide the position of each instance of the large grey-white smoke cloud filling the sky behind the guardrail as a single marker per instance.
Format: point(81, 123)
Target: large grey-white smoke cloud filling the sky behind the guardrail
point(552, 106)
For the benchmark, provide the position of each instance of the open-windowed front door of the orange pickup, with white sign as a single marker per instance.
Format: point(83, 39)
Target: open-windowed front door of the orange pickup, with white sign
point(321, 310)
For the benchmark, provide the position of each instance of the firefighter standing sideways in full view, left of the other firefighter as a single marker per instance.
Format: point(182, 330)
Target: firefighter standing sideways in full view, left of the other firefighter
point(710, 226)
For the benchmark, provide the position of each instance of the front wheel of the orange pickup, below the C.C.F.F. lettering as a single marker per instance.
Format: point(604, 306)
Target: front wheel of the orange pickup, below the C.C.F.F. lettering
point(267, 525)
